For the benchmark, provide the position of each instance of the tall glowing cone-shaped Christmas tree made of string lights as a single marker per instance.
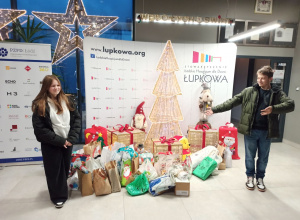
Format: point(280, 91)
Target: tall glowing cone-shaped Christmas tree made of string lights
point(165, 112)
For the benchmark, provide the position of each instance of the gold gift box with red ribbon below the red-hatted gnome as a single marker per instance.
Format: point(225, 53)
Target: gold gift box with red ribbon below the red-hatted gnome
point(124, 137)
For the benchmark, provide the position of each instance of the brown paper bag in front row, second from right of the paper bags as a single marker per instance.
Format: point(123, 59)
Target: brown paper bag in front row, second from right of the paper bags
point(101, 183)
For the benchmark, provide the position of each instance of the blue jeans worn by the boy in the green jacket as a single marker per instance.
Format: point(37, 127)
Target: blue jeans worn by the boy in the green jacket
point(257, 141)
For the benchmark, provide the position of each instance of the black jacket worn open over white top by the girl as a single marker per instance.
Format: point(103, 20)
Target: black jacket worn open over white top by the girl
point(44, 132)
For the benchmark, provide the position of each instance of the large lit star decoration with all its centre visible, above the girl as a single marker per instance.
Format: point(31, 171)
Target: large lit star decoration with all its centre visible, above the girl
point(58, 22)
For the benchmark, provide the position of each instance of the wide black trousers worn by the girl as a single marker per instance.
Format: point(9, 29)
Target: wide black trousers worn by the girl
point(56, 164)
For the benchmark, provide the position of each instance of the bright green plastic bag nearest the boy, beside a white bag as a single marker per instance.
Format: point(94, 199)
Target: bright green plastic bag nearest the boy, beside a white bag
point(205, 168)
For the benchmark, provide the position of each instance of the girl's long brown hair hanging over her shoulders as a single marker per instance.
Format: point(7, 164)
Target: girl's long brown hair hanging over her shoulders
point(39, 103)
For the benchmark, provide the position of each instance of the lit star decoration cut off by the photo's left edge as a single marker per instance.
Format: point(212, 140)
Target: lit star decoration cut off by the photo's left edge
point(7, 16)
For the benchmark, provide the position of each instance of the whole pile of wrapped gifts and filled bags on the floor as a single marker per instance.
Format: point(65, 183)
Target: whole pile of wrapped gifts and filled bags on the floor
point(115, 157)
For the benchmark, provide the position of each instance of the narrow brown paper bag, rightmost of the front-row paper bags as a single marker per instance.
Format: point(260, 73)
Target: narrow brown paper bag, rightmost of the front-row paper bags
point(113, 175)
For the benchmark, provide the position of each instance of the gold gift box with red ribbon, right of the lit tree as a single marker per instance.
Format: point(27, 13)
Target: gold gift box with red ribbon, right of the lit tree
point(201, 136)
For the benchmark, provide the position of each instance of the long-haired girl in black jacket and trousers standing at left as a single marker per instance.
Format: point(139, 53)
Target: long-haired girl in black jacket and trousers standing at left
point(57, 125)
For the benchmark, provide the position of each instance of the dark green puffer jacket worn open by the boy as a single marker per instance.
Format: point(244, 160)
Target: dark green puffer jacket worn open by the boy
point(249, 100)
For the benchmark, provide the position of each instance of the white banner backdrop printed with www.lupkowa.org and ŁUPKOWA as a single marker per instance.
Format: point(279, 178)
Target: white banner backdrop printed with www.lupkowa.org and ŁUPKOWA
point(119, 75)
